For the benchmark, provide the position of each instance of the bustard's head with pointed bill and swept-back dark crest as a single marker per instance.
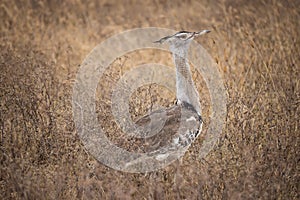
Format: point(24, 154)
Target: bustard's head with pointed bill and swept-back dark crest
point(181, 38)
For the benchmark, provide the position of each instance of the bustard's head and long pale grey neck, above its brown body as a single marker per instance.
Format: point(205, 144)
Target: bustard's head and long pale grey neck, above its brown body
point(186, 92)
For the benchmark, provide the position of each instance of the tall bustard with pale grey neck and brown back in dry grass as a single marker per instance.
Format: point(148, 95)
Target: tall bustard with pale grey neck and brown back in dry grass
point(186, 113)
